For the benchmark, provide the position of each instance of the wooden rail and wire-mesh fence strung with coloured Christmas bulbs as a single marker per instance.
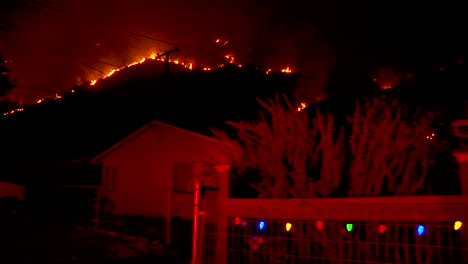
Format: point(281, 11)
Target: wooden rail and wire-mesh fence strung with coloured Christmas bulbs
point(424, 229)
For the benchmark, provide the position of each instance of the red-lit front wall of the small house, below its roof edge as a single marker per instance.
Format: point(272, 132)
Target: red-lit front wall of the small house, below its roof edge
point(145, 169)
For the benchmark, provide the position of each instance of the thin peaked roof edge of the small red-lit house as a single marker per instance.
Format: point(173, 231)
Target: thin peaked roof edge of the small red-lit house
point(141, 130)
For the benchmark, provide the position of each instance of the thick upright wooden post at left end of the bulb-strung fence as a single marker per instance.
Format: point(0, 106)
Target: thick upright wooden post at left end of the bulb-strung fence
point(223, 195)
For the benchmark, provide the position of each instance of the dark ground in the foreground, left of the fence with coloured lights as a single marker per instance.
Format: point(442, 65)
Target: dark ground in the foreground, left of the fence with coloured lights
point(32, 240)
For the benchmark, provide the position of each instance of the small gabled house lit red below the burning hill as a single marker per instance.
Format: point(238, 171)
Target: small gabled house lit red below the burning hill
point(150, 172)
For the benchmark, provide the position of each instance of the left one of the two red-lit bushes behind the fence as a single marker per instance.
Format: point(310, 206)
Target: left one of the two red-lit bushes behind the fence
point(284, 148)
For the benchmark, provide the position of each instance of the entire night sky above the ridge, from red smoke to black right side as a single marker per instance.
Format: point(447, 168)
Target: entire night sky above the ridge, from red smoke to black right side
point(53, 50)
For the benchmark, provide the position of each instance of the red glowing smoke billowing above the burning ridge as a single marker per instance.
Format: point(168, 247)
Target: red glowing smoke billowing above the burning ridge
point(53, 50)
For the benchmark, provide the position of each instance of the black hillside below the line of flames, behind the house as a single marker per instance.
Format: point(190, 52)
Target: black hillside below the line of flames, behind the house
point(53, 141)
